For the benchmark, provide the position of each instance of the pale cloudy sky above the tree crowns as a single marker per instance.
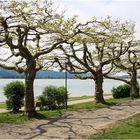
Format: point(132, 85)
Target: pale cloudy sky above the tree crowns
point(117, 9)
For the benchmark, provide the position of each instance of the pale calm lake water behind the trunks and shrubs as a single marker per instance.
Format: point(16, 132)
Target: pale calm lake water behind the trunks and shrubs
point(76, 87)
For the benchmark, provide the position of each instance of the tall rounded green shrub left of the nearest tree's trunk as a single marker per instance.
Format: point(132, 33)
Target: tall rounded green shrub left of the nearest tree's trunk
point(14, 92)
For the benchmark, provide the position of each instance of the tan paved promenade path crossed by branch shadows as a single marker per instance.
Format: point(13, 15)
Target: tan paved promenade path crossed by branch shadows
point(74, 124)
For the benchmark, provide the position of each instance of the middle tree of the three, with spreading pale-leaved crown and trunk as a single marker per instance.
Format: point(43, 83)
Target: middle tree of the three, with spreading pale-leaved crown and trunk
point(90, 53)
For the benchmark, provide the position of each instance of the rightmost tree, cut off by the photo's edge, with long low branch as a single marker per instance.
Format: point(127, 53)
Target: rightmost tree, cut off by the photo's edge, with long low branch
point(129, 63)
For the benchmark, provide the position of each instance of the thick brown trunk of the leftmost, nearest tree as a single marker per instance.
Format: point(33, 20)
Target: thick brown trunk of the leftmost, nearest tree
point(30, 73)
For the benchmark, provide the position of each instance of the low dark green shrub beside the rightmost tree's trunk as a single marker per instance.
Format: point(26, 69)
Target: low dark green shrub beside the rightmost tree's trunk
point(121, 91)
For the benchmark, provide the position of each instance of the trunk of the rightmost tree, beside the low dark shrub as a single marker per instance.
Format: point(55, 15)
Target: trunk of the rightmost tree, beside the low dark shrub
point(134, 91)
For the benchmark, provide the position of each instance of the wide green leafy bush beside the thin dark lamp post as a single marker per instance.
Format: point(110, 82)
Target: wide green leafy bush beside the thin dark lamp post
point(52, 98)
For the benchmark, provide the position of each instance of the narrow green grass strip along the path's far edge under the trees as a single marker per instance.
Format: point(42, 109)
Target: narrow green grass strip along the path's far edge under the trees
point(19, 118)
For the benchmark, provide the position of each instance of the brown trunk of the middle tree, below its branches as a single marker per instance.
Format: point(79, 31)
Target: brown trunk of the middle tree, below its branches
point(99, 87)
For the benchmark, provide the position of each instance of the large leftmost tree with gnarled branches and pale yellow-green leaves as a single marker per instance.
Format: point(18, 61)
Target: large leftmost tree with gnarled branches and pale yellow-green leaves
point(29, 31)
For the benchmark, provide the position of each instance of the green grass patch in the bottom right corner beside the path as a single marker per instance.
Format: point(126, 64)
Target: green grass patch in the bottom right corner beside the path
point(129, 128)
